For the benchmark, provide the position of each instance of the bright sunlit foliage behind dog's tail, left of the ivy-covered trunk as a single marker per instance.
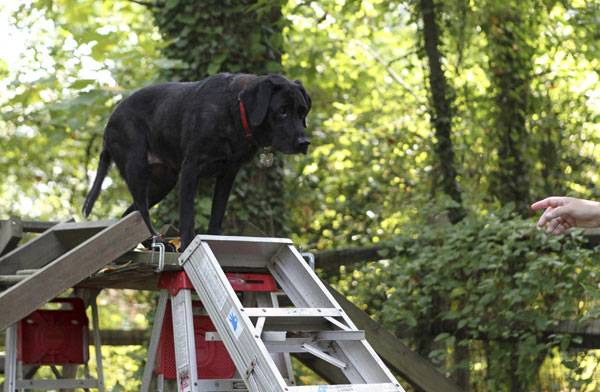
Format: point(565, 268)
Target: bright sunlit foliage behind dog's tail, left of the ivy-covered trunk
point(59, 97)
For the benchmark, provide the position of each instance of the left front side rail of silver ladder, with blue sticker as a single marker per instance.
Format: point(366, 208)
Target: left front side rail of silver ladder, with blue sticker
point(220, 301)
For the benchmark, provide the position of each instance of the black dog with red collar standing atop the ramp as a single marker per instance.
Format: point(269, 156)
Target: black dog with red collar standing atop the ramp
point(200, 129)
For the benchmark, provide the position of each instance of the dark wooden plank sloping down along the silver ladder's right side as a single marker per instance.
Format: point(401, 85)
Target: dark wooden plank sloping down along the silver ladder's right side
point(399, 357)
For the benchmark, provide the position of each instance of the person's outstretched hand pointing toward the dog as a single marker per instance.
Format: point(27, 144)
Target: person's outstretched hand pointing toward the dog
point(563, 213)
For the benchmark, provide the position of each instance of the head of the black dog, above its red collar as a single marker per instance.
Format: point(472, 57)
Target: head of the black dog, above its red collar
point(277, 109)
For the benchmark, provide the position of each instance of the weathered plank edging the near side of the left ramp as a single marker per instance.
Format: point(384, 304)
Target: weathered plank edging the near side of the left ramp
point(71, 268)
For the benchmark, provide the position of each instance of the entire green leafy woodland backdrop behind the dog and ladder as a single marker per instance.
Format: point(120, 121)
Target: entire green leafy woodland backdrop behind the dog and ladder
point(371, 175)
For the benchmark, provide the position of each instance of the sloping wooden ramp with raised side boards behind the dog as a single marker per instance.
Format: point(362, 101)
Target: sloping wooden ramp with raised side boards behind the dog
point(61, 257)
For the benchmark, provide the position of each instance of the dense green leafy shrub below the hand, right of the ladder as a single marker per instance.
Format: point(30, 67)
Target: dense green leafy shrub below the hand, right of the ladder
point(492, 277)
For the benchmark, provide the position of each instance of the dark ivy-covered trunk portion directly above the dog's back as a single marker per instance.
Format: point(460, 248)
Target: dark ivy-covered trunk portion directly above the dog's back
point(220, 36)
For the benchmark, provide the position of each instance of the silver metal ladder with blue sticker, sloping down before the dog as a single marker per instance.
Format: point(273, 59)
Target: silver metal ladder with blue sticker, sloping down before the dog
point(315, 324)
